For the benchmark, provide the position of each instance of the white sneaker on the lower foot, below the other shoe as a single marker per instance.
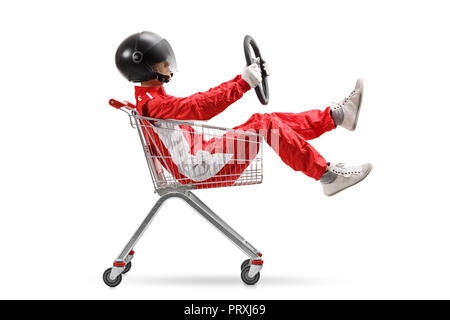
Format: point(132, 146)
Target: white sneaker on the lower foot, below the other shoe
point(342, 177)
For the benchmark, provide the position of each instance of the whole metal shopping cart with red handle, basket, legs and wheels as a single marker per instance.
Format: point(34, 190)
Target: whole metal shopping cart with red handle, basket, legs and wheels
point(184, 156)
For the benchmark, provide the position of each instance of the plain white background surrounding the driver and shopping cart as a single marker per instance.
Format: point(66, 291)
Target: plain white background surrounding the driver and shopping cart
point(74, 182)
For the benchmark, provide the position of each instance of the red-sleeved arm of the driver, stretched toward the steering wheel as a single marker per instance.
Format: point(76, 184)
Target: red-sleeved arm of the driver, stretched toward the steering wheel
point(199, 106)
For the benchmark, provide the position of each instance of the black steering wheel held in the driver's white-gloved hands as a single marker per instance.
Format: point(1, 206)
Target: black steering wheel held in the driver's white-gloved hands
point(252, 54)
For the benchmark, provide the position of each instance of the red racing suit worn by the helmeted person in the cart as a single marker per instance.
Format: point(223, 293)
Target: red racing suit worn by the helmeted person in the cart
point(291, 129)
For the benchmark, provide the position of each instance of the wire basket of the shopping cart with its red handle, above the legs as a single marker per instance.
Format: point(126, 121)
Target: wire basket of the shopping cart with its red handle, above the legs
point(186, 155)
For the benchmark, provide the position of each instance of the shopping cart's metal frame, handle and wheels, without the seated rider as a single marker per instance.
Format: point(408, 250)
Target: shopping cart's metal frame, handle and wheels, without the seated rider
point(168, 186)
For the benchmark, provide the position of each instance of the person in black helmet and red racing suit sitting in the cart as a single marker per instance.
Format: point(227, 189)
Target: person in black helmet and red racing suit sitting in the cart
point(149, 59)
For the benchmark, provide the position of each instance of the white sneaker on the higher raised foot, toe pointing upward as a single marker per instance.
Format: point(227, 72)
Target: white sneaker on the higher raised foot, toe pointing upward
point(351, 106)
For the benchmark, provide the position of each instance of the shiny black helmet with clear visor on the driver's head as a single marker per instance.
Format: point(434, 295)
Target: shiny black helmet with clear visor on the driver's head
point(137, 53)
